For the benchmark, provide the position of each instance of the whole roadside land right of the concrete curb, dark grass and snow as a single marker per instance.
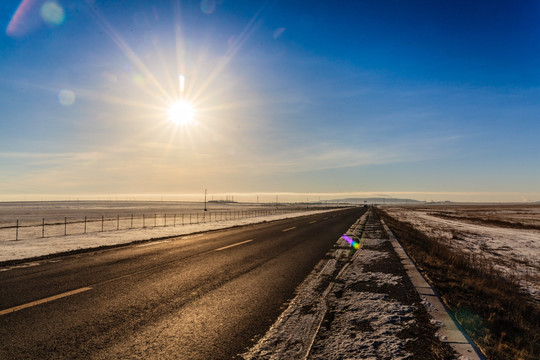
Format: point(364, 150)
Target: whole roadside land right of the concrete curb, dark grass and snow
point(484, 262)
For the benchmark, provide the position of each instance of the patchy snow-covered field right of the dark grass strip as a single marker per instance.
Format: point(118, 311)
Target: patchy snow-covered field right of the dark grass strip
point(507, 236)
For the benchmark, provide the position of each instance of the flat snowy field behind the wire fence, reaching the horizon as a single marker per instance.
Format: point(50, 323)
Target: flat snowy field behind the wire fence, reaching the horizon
point(31, 220)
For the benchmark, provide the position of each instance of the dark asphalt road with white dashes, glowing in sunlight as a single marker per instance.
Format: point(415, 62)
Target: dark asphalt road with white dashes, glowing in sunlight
point(206, 296)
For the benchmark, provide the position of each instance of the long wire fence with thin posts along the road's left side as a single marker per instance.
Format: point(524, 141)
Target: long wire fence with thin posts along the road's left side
point(92, 224)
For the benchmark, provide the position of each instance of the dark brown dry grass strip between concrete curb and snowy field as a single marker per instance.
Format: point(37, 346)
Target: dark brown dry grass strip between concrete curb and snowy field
point(502, 319)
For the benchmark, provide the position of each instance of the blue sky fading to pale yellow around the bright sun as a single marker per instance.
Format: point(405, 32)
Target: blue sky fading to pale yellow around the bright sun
point(419, 99)
